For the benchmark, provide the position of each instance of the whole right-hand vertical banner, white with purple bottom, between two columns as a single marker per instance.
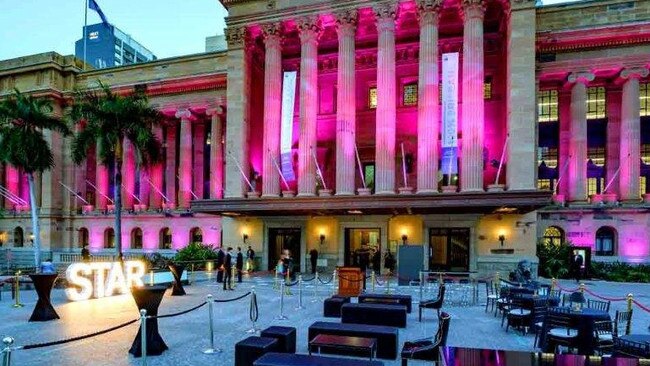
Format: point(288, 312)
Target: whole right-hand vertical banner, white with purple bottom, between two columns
point(449, 113)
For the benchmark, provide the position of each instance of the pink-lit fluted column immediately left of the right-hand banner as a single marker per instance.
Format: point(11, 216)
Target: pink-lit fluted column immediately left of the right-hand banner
point(428, 109)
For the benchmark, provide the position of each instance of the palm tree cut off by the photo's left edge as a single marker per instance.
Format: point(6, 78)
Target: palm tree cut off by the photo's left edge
point(23, 119)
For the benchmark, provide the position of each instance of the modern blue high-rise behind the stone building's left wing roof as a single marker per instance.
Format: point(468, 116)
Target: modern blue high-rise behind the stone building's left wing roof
point(107, 46)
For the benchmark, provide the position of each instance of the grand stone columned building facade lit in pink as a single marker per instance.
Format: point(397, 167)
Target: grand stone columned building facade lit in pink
point(551, 139)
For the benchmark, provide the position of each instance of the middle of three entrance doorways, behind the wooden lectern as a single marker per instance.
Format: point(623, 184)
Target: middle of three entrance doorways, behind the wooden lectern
point(361, 245)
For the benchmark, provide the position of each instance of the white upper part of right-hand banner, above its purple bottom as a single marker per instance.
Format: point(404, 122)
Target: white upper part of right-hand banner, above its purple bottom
point(450, 99)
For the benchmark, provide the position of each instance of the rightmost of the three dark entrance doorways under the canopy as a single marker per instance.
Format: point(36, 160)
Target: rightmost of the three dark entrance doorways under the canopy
point(449, 249)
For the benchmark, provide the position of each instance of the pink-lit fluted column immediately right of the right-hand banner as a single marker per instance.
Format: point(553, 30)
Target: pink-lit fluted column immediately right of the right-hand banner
point(471, 174)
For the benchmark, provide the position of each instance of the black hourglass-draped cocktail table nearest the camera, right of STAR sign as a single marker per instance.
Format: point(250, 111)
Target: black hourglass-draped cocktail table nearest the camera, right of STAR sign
point(149, 298)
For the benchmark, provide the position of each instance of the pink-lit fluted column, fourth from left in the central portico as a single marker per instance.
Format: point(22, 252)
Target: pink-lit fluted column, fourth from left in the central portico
point(386, 113)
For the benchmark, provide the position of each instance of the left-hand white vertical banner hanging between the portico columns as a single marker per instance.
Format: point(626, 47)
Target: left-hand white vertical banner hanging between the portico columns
point(286, 126)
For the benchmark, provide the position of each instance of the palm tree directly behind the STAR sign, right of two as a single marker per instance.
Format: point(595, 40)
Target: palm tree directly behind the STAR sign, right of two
point(108, 119)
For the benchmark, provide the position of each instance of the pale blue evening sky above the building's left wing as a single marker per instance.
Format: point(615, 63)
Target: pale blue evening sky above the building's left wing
point(166, 27)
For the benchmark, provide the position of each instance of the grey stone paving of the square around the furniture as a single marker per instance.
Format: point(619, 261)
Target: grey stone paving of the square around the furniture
point(187, 335)
